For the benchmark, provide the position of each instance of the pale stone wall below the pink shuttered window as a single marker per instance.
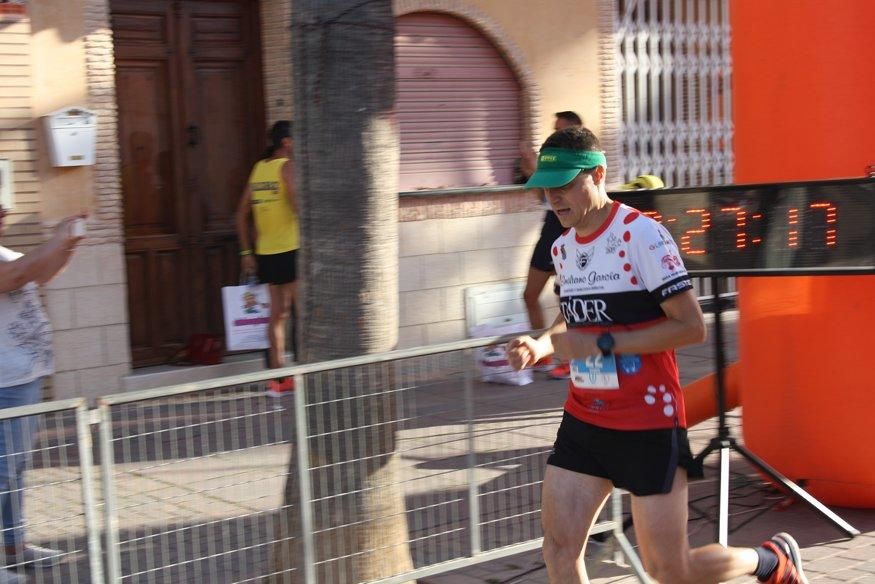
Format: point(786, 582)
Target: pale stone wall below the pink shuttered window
point(449, 242)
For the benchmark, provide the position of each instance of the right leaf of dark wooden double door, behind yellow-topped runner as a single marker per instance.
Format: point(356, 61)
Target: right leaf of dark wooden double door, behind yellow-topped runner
point(221, 102)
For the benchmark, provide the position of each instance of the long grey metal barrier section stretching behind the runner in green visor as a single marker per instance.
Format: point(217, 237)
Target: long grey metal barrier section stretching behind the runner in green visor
point(384, 468)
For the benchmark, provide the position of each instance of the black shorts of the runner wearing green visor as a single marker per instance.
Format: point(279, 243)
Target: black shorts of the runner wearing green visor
point(643, 462)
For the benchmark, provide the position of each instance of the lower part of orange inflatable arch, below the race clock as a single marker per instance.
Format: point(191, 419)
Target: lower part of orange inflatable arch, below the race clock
point(807, 382)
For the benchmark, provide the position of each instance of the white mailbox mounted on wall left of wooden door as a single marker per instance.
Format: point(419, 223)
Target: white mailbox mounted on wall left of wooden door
point(71, 134)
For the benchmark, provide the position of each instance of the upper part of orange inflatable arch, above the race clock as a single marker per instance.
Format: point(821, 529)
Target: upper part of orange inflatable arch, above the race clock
point(803, 88)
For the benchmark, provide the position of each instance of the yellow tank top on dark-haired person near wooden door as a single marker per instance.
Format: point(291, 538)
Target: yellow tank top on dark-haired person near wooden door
point(276, 223)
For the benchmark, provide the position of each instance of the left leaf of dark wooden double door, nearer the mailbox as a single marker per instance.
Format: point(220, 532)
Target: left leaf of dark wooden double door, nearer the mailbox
point(147, 76)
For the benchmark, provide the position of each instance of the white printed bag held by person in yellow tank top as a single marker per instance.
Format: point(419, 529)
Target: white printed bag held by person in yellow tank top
point(247, 313)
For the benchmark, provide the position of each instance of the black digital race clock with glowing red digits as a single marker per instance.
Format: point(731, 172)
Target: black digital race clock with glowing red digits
point(822, 227)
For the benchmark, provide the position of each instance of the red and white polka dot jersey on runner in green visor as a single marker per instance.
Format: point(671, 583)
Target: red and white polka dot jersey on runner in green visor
point(613, 280)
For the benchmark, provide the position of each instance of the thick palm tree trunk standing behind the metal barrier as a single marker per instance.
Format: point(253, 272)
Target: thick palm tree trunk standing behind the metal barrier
point(346, 164)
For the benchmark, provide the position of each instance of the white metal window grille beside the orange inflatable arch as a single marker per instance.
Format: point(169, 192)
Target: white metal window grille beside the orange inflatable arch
point(670, 66)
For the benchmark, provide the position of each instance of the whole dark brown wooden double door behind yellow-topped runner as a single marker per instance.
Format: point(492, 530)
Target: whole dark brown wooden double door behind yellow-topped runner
point(191, 123)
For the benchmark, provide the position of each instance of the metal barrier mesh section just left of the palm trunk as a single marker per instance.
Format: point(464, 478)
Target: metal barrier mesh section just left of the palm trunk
point(193, 480)
